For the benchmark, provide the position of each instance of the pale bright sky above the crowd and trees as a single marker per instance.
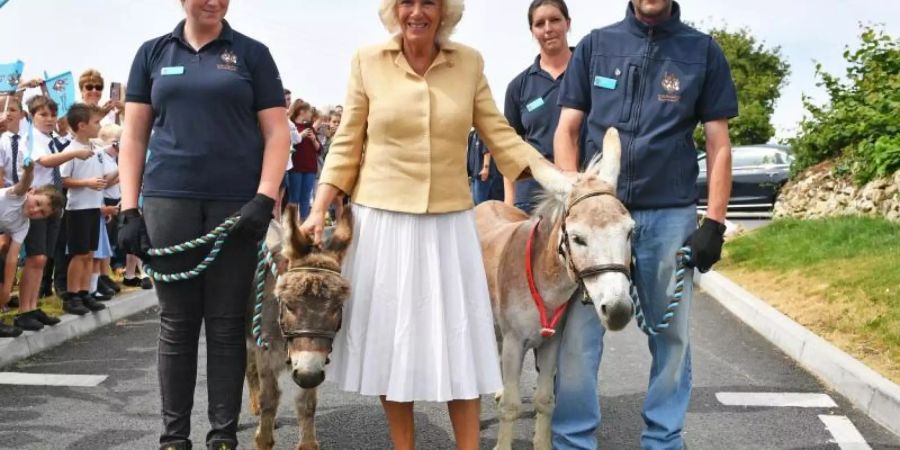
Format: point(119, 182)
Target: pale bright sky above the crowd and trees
point(312, 41)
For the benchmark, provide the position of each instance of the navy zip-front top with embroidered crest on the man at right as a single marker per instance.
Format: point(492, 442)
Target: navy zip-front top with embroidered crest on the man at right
point(654, 84)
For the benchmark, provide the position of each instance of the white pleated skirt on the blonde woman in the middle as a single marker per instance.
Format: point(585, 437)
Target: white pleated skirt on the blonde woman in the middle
point(418, 324)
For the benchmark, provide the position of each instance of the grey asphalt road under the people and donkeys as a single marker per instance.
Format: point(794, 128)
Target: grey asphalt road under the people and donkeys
point(122, 412)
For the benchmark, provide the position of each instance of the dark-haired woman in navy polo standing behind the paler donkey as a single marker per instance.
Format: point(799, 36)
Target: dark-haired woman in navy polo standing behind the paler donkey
point(531, 96)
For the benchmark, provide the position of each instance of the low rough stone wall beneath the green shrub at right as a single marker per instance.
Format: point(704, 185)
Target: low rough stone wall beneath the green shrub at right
point(817, 193)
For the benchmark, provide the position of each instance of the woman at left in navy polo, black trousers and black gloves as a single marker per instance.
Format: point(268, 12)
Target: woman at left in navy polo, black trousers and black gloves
point(213, 99)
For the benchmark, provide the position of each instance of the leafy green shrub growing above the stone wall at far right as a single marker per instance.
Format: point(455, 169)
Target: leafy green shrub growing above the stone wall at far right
point(859, 125)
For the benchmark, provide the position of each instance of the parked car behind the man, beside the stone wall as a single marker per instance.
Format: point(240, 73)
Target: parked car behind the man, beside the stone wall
point(758, 172)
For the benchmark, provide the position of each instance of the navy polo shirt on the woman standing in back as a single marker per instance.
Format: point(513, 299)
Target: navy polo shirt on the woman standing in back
point(532, 109)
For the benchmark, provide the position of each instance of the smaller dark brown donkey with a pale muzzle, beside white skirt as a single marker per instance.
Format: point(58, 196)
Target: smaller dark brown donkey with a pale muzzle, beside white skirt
point(300, 315)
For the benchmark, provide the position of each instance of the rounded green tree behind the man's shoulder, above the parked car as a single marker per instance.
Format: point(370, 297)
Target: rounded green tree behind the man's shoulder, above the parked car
point(759, 73)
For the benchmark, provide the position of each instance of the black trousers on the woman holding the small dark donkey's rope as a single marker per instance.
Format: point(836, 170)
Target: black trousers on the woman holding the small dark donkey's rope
point(218, 299)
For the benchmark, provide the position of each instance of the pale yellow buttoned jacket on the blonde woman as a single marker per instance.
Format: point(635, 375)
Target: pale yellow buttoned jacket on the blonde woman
point(402, 142)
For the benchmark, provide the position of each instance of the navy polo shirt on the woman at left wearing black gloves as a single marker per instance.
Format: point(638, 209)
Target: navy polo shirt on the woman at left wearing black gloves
point(206, 142)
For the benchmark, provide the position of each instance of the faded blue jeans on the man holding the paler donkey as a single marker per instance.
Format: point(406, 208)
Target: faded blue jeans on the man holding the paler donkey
point(658, 234)
